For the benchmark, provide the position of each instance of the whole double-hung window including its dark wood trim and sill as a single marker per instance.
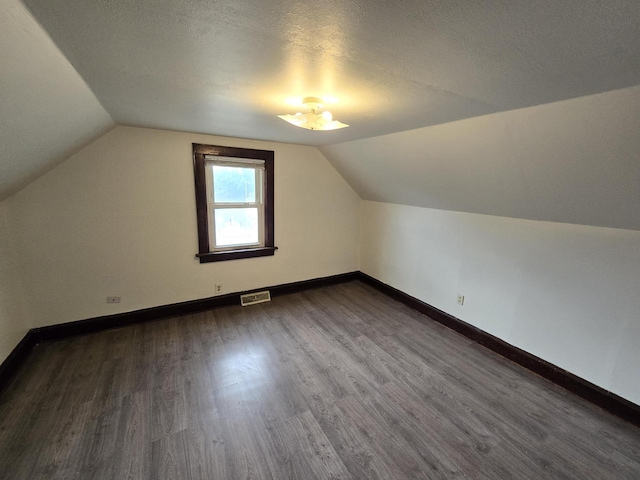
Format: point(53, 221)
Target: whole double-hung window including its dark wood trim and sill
point(234, 202)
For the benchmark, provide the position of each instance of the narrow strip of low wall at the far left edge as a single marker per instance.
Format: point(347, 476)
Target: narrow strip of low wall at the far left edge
point(13, 321)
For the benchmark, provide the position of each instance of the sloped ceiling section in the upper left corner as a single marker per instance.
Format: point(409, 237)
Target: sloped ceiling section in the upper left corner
point(46, 110)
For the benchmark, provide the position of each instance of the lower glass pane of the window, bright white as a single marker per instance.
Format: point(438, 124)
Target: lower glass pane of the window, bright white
point(236, 226)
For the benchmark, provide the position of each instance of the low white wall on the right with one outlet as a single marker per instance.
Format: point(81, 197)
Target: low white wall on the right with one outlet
point(569, 294)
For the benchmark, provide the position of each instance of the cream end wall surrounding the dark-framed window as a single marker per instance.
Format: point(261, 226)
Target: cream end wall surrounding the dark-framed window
point(119, 219)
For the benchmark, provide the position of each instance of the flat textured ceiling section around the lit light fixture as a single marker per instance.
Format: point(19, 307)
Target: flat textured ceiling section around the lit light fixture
point(228, 67)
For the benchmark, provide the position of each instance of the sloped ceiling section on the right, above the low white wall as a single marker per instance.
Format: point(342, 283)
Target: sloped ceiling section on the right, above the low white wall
point(574, 161)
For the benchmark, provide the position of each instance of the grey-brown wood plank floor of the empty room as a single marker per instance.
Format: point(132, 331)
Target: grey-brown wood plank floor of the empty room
point(338, 382)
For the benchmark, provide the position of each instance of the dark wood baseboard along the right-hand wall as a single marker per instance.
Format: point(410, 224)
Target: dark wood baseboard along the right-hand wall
point(597, 395)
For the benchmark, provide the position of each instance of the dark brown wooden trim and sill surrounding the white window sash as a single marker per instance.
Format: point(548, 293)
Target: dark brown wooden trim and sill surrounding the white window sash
point(205, 254)
